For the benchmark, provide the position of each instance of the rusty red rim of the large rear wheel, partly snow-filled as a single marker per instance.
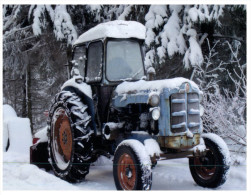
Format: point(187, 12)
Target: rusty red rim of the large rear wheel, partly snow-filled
point(61, 139)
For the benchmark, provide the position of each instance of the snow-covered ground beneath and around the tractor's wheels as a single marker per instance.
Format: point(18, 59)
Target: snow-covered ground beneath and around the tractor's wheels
point(18, 174)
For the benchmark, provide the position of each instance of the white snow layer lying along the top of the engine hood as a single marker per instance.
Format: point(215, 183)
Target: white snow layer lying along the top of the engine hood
point(158, 85)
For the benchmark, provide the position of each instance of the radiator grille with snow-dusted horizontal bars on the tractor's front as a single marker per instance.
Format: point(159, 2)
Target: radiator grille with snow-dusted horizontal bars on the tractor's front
point(185, 112)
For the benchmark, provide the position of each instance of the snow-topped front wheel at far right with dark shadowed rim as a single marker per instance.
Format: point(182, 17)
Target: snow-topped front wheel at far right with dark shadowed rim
point(211, 170)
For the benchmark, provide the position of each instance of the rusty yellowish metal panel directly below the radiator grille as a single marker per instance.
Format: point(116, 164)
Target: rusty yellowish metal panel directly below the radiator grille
point(178, 142)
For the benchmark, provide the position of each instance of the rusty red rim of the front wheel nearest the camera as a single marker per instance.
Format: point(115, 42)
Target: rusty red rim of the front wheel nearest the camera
point(126, 172)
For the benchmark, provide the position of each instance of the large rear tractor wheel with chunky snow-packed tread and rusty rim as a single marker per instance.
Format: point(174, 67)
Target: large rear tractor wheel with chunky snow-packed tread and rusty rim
point(69, 137)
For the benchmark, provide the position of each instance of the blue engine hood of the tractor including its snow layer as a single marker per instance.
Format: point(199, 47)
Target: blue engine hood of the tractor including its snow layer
point(140, 91)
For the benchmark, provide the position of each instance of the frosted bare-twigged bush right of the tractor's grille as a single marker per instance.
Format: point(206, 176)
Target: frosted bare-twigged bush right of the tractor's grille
point(224, 109)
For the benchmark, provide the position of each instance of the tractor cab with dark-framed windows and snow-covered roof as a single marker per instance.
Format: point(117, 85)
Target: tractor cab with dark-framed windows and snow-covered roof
point(110, 53)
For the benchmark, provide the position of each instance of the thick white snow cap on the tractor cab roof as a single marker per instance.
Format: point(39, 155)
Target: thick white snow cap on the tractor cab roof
point(114, 29)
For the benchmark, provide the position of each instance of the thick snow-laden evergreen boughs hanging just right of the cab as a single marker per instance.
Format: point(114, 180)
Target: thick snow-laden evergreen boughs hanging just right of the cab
point(168, 28)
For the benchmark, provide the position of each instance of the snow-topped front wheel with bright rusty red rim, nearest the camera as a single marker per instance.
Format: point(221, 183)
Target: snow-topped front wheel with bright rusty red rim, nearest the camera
point(132, 167)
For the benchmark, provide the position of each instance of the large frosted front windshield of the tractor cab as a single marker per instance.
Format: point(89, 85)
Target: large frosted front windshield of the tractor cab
point(124, 61)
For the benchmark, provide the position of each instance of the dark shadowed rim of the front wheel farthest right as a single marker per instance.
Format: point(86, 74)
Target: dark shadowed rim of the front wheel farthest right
point(205, 167)
